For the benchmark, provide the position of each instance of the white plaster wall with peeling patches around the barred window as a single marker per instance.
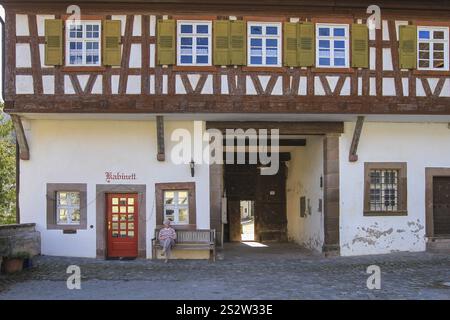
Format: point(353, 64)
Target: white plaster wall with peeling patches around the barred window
point(421, 145)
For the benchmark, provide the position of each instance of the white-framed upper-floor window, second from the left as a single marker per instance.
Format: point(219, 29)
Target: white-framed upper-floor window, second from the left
point(194, 43)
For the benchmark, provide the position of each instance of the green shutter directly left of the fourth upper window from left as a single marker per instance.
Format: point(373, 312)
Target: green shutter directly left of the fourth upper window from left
point(306, 44)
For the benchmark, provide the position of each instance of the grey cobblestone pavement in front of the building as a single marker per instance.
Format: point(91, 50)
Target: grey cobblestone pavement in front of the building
point(276, 272)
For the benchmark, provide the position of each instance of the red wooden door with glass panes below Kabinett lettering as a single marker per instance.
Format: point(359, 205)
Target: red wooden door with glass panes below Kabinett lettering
point(122, 225)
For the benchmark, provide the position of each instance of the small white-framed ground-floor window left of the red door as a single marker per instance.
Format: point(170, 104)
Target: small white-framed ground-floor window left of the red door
point(68, 207)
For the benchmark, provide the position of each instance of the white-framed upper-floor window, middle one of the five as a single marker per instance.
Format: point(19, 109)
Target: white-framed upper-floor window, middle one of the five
point(264, 44)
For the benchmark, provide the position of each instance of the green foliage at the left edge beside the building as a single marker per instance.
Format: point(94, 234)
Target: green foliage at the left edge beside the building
point(7, 170)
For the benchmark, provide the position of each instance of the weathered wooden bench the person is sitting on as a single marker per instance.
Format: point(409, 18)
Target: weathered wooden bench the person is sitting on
point(190, 240)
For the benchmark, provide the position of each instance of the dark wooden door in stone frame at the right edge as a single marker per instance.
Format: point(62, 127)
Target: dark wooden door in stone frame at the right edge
point(441, 206)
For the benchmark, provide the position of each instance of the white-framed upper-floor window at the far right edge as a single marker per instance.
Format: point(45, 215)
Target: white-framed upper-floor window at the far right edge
point(433, 48)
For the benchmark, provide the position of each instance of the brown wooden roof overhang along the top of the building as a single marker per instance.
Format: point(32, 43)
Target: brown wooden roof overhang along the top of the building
point(439, 8)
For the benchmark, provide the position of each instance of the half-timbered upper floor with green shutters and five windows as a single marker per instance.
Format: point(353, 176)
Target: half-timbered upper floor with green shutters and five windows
point(227, 56)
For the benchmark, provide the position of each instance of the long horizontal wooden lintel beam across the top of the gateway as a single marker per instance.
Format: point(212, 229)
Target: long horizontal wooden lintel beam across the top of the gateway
point(285, 128)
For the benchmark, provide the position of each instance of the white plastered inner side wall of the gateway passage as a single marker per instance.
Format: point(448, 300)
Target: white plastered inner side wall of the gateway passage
point(304, 172)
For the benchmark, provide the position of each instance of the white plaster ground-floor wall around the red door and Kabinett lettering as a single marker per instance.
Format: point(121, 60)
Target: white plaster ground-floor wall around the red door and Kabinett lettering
point(60, 156)
